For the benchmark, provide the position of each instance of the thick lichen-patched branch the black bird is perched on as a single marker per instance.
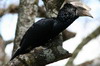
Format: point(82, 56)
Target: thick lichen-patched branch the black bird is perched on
point(42, 56)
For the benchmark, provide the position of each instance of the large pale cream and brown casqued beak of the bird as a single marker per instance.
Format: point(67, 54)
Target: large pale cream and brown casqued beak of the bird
point(82, 9)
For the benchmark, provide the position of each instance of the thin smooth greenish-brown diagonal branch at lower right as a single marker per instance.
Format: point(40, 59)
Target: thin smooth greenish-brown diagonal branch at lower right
point(94, 34)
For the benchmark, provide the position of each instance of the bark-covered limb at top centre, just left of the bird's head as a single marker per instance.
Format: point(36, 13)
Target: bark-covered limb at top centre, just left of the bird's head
point(52, 7)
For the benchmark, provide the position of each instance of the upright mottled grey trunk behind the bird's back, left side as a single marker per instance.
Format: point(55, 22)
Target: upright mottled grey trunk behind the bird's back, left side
point(26, 16)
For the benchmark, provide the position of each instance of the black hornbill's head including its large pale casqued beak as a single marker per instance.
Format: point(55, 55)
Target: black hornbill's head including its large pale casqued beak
point(74, 10)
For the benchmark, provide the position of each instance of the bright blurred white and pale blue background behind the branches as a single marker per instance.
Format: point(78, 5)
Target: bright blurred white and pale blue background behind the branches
point(83, 27)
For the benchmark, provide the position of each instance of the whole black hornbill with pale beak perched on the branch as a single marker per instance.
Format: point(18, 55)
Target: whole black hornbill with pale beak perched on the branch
point(46, 29)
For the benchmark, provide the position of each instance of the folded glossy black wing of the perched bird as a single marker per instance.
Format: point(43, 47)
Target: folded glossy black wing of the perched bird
point(38, 32)
